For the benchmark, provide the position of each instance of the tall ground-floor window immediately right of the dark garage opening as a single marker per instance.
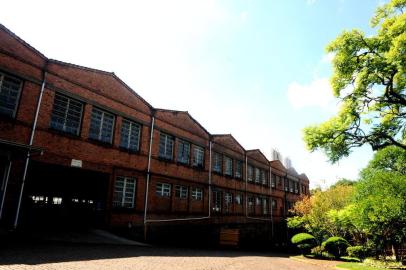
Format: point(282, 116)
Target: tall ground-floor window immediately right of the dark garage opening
point(124, 192)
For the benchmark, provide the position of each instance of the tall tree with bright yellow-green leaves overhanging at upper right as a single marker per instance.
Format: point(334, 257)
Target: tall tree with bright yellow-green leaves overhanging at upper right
point(369, 77)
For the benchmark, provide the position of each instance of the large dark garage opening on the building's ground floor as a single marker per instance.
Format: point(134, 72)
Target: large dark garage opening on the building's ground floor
point(59, 197)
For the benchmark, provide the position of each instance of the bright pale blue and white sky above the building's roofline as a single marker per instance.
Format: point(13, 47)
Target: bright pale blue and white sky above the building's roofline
point(256, 69)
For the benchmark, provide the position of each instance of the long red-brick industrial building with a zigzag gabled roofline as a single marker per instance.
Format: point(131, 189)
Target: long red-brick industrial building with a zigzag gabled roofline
point(78, 147)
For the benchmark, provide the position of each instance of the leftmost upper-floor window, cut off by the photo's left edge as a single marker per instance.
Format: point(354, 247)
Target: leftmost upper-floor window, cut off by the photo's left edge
point(10, 89)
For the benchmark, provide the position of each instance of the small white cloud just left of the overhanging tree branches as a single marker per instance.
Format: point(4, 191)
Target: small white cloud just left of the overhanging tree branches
point(316, 94)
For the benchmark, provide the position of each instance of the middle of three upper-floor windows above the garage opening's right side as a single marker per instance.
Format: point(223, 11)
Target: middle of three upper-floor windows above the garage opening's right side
point(101, 126)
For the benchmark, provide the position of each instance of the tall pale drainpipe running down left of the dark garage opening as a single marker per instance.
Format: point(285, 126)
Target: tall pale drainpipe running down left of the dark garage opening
point(27, 160)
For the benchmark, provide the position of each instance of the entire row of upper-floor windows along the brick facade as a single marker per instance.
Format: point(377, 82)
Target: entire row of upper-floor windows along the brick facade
point(67, 117)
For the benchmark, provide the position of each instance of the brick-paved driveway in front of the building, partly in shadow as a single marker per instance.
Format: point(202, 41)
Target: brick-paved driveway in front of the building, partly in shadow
point(91, 256)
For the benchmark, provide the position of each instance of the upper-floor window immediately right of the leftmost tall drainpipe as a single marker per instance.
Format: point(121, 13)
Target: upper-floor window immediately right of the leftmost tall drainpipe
point(66, 114)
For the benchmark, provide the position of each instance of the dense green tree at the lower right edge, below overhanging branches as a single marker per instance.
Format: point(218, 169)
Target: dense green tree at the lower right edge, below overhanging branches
point(380, 199)
